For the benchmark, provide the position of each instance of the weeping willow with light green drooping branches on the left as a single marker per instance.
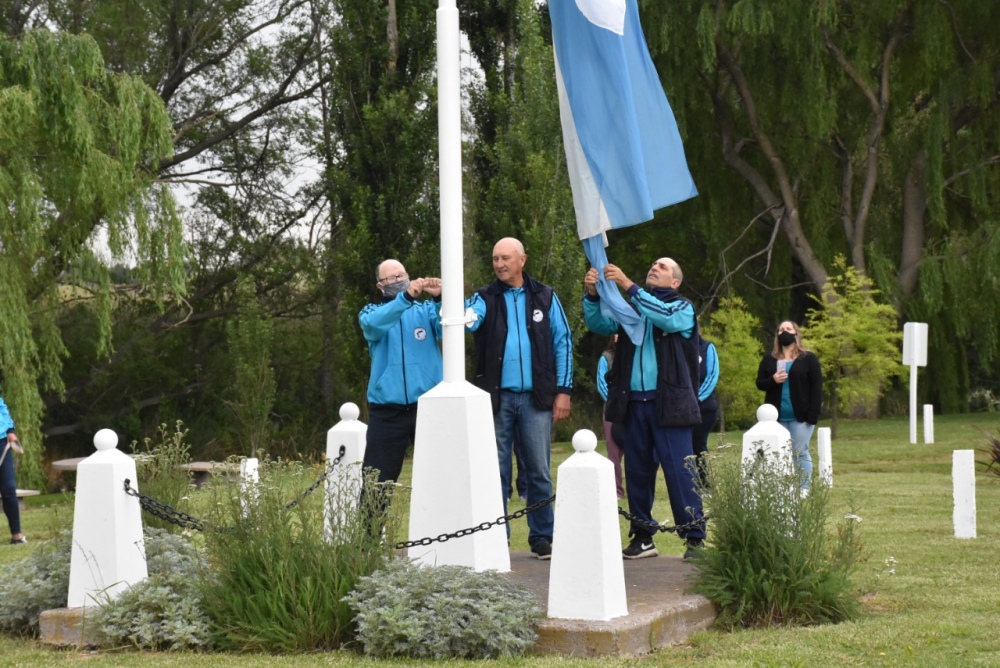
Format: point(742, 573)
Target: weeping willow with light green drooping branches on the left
point(78, 151)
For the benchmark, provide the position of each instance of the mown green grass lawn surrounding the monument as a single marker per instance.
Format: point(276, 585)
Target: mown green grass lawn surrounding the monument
point(939, 608)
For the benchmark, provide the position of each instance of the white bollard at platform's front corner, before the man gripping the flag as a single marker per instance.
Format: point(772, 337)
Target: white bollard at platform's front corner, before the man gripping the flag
point(587, 576)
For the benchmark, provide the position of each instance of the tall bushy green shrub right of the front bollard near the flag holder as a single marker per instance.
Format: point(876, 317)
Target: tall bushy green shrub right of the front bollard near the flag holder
point(771, 559)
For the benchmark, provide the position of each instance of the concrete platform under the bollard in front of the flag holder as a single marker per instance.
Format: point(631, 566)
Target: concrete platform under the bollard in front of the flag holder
point(660, 613)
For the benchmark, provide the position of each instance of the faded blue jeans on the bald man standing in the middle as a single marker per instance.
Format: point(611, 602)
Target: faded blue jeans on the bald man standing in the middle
point(534, 429)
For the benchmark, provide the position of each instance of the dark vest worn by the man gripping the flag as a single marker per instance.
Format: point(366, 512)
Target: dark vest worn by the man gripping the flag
point(677, 379)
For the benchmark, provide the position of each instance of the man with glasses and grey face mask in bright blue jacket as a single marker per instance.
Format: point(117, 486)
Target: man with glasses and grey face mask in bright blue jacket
point(403, 337)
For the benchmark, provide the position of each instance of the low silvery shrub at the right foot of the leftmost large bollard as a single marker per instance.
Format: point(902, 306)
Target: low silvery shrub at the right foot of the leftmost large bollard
point(164, 611)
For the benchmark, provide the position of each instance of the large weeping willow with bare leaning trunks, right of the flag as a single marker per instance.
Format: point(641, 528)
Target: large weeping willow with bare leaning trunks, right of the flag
point(855, 128)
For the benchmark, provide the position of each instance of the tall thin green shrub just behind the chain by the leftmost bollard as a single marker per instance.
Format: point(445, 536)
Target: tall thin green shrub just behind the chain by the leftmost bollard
point(159, 473)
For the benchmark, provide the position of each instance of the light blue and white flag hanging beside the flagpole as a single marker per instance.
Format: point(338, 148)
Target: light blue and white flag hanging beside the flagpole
point(623, 148)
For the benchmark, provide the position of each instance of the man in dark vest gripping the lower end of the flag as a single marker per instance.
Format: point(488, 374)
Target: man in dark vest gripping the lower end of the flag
point(653, 391)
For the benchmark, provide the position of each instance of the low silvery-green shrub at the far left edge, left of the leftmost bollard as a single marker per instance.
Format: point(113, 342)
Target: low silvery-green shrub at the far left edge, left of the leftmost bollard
point(34, 584)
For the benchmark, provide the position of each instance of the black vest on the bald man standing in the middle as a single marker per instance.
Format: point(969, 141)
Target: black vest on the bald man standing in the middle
point(491, 338)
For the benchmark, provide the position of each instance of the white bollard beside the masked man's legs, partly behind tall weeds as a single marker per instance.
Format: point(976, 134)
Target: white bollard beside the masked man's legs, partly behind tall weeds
point(343, 484)
